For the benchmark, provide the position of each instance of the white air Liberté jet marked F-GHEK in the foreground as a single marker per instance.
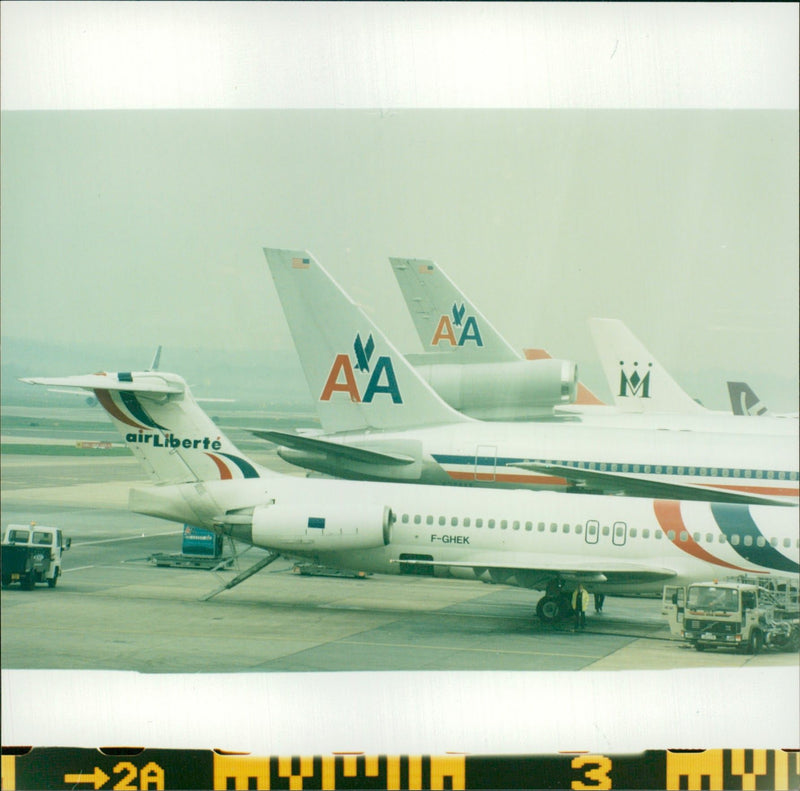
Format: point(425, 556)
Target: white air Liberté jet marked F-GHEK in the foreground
point(616, 545)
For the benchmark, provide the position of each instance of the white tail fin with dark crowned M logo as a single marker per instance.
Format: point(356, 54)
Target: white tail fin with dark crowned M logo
point(637, 380)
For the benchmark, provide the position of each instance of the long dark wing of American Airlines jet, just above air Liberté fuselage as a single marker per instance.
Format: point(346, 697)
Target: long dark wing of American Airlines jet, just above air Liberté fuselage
point(634, 486)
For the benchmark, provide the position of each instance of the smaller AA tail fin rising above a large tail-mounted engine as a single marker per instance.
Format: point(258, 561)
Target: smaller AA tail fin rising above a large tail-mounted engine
point(445, 320)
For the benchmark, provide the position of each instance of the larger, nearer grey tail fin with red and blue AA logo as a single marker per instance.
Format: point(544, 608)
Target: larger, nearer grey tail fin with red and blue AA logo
point(358, 380)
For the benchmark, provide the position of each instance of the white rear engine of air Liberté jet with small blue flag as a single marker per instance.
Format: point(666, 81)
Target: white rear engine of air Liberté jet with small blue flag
point(324, 528)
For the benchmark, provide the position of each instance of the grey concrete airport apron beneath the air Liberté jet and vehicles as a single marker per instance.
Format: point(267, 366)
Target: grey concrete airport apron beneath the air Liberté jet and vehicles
point(114, 610)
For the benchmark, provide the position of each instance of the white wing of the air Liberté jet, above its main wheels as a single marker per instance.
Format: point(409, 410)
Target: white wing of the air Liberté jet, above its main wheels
point(588, 571)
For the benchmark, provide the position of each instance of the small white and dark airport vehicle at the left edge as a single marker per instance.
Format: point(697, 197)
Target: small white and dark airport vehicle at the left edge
point(32, 553)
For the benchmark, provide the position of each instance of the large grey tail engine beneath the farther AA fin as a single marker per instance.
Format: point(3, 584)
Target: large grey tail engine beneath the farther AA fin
point(504, 391)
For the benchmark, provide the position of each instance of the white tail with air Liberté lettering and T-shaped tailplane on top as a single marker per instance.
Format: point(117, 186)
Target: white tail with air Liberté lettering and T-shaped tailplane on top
point(161, 423)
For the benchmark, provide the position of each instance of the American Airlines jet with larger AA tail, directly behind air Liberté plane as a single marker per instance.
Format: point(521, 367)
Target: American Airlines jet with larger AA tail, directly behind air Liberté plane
point(383, 422)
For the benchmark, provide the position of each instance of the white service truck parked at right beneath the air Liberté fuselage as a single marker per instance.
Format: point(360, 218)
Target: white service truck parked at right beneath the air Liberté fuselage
point(745, 613)
